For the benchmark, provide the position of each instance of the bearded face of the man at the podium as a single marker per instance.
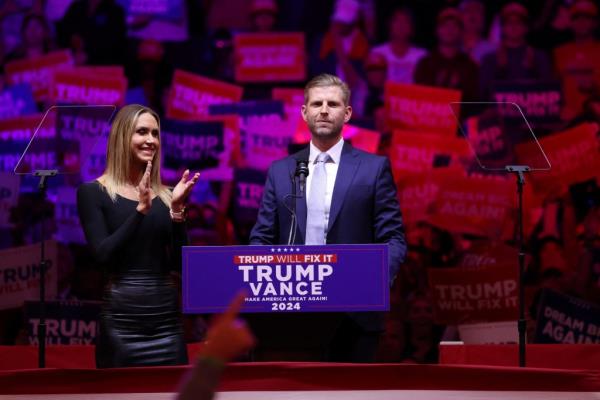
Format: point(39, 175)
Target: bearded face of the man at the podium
point(325, 111)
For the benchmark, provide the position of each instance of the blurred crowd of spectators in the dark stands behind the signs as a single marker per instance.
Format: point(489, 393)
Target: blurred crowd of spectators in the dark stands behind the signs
point(467, 45)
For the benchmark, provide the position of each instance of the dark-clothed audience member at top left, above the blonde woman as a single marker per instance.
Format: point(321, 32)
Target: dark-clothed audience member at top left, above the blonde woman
point(95, 28)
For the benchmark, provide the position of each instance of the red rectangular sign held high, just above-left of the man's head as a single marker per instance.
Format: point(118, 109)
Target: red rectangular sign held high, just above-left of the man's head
point(269, 57)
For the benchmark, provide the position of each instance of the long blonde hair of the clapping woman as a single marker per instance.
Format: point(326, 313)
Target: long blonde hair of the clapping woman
point(119, 157)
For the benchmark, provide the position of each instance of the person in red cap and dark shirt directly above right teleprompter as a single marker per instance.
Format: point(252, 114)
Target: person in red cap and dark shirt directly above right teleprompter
point(515, 59)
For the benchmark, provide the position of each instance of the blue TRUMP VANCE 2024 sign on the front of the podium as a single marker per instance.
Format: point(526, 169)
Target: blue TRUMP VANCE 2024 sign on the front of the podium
point(287, 278)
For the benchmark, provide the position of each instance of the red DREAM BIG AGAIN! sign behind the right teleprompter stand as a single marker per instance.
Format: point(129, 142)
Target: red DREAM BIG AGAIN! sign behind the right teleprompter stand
point(474, 205)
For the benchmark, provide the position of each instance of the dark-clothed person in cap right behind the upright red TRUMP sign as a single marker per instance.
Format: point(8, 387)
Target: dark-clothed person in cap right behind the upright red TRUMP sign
point(448, 66)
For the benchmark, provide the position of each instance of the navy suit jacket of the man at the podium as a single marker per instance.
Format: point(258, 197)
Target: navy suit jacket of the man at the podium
point(364, 209)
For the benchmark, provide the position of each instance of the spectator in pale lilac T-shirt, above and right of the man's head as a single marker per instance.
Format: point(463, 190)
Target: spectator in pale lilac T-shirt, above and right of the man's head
point(400, 54)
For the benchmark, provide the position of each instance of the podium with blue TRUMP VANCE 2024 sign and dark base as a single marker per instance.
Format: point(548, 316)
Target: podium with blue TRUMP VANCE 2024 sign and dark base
point(296, 296)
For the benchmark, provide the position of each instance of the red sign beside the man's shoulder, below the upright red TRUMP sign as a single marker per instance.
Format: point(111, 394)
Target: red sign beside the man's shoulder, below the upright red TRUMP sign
point(413, 152)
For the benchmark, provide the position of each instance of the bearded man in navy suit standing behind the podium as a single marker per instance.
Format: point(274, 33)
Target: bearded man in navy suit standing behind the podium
point(350, 198)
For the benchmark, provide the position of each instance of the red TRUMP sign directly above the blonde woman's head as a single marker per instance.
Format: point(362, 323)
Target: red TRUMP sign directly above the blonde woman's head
point(82, 87)
